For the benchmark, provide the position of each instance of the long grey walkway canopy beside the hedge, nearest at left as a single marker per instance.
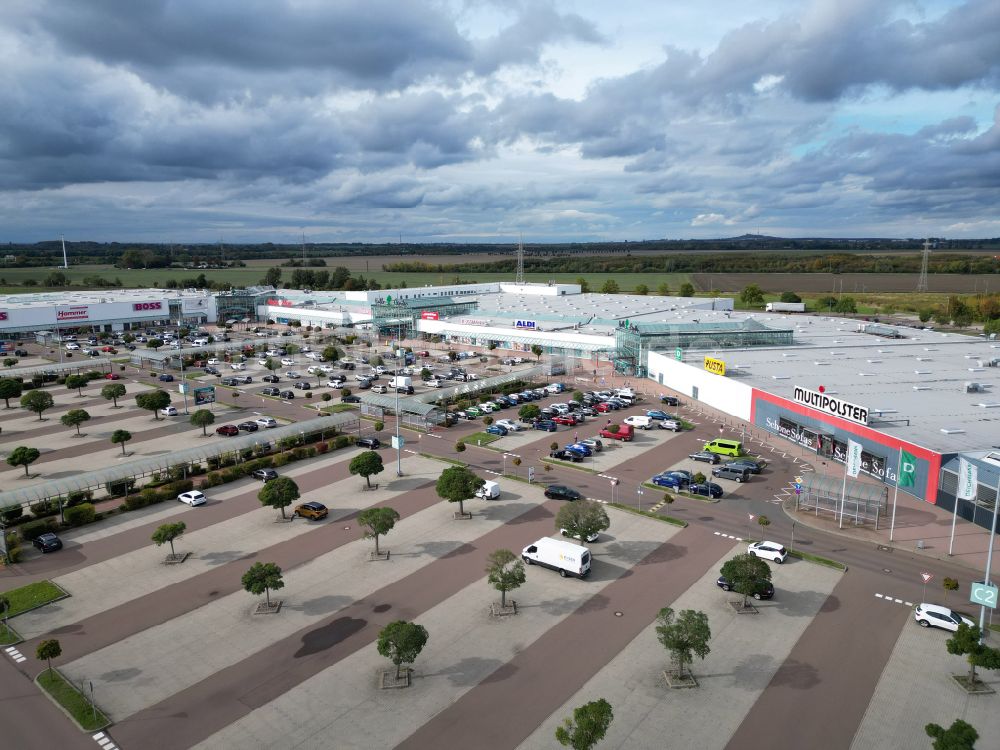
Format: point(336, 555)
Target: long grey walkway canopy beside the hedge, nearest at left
point(143, 466)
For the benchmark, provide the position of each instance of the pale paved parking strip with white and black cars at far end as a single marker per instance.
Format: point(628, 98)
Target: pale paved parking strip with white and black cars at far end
point(746, 652)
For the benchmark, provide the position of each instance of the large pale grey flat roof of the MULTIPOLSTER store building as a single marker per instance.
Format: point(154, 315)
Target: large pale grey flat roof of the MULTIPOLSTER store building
point(920, 377)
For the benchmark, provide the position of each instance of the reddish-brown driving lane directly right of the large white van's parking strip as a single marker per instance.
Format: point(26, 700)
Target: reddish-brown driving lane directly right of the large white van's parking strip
point(543, 676)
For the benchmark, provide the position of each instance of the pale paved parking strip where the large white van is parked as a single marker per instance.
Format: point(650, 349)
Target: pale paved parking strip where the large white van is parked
point(465, 646)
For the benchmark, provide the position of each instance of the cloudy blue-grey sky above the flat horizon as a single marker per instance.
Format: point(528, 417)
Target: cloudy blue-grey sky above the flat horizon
point(482, 121)
